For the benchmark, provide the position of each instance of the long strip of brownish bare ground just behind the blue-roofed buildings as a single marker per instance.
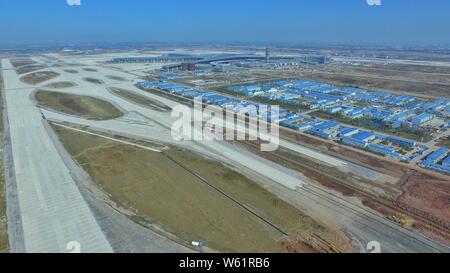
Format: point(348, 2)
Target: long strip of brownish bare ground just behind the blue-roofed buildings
point(424, 81)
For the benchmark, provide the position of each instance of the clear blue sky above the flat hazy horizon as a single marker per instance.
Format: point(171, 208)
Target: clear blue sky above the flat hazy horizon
point(299, 21)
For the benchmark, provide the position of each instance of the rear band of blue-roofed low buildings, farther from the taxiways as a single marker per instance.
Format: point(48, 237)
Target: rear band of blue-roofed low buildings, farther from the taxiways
point(352, 103)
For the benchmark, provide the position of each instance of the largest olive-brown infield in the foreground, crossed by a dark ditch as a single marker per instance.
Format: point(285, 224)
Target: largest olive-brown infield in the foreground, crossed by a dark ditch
point(166, 193)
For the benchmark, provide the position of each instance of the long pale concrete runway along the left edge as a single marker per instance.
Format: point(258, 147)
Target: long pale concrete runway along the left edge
point(53, 212)
